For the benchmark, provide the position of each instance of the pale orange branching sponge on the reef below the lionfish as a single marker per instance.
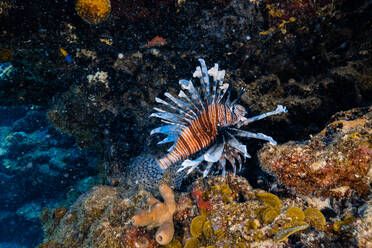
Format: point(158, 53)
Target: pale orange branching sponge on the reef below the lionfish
point(159, 215)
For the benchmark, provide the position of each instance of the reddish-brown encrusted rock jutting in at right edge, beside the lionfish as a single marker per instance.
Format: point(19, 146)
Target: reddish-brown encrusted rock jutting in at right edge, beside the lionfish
point(335, 162)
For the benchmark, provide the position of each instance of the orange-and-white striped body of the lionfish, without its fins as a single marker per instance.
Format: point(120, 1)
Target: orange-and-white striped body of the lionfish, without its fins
point(199, 133)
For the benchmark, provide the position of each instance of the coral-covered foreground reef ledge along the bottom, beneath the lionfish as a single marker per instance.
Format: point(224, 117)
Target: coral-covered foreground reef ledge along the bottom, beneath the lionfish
point(239, 216)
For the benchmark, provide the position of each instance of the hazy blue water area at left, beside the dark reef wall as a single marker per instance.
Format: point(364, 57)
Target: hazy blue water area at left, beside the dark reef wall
point(39, 168)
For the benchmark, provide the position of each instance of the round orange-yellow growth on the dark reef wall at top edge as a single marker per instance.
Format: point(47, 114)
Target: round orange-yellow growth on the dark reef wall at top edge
point(93, 11)
